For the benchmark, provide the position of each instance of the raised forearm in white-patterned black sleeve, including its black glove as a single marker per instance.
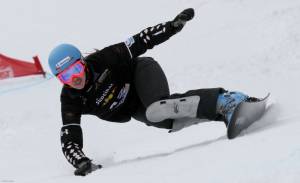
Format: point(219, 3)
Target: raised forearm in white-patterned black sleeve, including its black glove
point(151, 36)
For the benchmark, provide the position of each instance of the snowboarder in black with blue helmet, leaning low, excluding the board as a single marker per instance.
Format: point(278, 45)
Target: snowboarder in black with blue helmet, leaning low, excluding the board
point(116, 85)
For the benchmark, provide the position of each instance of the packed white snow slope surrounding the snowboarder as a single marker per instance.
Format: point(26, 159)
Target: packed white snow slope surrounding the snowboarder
point(247, 45)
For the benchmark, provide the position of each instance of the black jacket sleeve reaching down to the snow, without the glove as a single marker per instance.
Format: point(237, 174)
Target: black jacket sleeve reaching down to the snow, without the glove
point(71, 132)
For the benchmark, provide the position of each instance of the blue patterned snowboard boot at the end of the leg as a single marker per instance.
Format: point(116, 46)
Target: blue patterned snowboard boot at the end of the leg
point(227, 102)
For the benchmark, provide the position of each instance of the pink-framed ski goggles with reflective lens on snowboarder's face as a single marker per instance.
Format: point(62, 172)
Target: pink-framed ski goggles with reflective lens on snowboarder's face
point(74, 70)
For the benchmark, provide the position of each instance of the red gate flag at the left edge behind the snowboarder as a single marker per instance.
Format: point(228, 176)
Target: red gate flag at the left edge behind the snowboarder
point(10, 67)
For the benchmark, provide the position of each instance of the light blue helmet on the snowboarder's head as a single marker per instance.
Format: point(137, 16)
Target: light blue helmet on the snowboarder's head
point(62, 56)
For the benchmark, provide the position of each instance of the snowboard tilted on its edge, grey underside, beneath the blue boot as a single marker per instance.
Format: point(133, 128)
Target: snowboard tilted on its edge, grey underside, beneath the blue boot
point(245, 114)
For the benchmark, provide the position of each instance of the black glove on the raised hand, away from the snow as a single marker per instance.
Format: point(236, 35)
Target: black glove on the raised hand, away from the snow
point(180, 20)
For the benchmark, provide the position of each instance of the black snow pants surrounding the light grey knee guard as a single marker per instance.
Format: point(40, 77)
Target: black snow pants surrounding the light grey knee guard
point(151, 85)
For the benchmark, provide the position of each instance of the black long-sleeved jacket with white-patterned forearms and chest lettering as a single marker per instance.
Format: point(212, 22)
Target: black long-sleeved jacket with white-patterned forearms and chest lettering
point(109, 93)
